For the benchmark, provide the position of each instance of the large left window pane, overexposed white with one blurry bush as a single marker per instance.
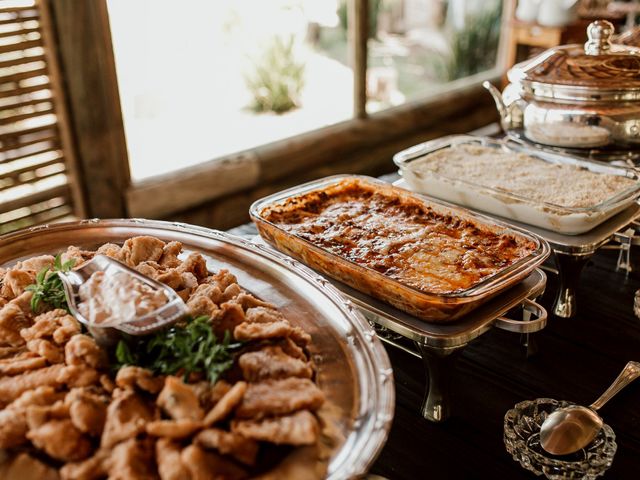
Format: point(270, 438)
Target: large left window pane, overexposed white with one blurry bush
point(201, 79)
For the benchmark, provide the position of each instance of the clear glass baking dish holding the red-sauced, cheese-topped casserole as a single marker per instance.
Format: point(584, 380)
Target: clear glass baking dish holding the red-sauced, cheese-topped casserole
point(434, 307)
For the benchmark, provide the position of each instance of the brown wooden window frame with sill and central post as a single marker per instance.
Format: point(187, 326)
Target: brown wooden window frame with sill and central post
point(86, 55)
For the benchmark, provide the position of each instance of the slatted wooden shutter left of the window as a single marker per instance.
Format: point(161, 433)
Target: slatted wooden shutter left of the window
point(38, 181)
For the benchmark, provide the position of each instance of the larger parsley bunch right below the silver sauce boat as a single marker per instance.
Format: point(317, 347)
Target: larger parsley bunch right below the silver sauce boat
point(187, 348)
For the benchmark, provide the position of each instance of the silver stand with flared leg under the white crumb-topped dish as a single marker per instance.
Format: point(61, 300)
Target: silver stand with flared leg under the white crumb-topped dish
point(572, 252)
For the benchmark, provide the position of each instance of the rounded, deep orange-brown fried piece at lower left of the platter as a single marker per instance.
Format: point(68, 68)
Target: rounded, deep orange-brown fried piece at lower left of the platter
point(61, 440)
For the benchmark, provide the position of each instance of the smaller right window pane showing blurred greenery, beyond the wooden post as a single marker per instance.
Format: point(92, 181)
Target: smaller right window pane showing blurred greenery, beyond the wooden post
point(417, 47)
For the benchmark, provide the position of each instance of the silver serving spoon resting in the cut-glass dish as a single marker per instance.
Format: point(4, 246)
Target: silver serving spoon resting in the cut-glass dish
point(569, 429)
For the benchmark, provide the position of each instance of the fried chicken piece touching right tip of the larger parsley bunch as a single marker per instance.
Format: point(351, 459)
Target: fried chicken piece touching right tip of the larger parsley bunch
point(272, 363)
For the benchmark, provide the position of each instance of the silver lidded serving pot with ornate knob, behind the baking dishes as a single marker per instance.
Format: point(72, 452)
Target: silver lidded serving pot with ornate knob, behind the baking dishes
point(576, 96)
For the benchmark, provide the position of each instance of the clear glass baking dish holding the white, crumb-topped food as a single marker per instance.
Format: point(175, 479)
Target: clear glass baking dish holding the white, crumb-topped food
point(547, 215)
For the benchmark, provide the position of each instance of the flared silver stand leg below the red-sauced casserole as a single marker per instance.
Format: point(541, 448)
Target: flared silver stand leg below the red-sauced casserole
point(439, 364)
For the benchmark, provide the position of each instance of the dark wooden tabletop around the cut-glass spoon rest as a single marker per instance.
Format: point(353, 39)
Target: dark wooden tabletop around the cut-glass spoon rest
point(577, 360)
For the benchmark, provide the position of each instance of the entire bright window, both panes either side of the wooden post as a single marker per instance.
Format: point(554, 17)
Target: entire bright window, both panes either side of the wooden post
point(202, 79)
